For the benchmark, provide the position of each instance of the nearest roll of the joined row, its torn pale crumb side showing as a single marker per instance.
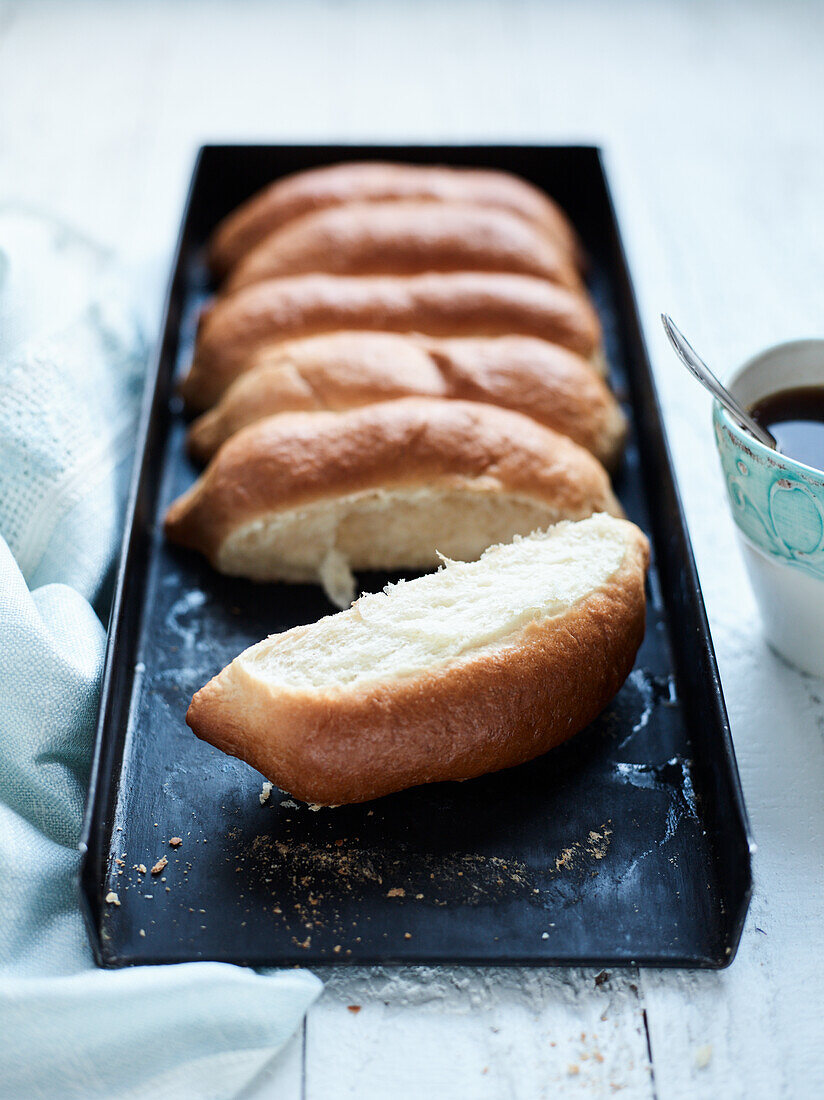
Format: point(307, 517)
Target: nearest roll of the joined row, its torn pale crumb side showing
point(310, 497)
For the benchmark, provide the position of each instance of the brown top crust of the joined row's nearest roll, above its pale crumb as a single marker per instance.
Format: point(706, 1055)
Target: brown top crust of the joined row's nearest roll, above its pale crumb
point(288, 463)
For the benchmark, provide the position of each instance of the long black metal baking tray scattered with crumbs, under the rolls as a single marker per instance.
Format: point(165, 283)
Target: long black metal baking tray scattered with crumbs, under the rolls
point(628, 846)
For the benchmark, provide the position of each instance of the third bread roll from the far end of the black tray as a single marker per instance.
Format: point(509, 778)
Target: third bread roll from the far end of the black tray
point(460, 304)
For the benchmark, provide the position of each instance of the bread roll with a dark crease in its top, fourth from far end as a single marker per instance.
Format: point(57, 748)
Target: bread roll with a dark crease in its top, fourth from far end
point(346, 370)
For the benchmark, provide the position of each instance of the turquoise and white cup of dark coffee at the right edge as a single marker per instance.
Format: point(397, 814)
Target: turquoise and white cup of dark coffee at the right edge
point(778, 507)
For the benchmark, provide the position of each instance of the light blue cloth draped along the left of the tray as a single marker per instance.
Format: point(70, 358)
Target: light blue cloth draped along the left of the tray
point(71, 369)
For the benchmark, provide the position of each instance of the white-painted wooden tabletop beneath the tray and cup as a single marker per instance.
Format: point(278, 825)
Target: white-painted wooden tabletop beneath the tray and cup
point(712, 116)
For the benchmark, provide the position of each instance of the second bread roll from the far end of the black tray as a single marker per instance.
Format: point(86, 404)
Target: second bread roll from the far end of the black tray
point(405, 239)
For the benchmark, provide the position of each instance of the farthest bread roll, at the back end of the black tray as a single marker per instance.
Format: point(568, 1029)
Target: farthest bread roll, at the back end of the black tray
point(338, 184)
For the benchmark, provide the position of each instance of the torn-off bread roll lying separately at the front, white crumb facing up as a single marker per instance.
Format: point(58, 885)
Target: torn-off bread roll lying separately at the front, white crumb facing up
point(476, 668)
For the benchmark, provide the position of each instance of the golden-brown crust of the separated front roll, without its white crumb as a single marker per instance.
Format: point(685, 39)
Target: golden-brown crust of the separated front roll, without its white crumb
point(500, 709)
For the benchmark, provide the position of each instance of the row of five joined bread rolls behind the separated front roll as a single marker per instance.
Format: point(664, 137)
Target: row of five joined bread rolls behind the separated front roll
point(401, 364)
